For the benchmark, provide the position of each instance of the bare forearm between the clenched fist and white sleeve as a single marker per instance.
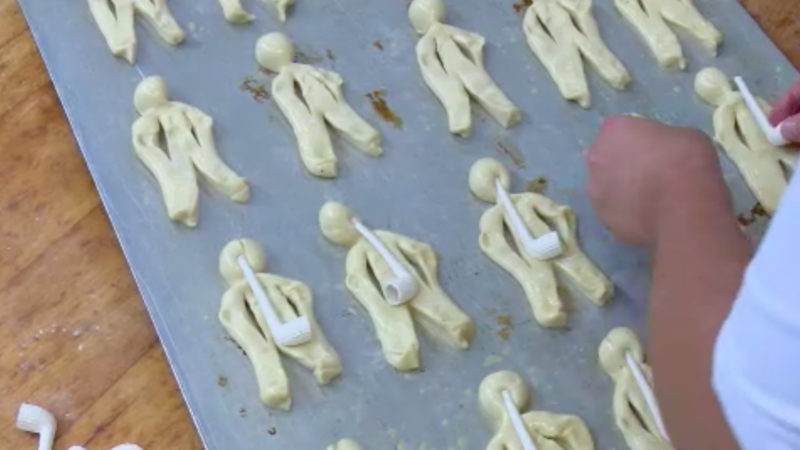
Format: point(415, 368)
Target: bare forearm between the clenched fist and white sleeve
point(699, 257)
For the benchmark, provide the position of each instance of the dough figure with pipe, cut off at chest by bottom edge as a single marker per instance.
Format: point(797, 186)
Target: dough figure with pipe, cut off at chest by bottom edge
point(548, 431)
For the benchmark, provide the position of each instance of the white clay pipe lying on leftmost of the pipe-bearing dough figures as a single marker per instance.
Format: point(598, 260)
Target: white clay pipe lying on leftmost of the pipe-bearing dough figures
point(294, 332)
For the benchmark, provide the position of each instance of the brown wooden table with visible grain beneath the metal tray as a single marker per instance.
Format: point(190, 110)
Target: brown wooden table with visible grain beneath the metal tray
point(75, 335)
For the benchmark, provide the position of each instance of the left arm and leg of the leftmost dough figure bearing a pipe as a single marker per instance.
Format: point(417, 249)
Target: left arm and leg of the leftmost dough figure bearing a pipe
point(260, 349)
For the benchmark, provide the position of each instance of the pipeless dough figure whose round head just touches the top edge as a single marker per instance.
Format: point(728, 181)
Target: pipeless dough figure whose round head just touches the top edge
point(451, 60)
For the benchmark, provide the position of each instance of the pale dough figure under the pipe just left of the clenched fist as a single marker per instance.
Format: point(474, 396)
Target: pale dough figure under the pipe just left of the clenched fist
point(540, 215)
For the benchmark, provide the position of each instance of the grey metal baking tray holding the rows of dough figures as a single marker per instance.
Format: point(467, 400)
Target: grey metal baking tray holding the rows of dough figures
point(418, 188)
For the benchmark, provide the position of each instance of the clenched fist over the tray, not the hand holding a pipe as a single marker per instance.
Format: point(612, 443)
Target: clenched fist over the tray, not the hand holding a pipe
point(641, 170)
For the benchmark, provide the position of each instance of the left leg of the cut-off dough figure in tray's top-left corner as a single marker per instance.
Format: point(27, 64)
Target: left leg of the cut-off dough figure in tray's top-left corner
point(117, 26)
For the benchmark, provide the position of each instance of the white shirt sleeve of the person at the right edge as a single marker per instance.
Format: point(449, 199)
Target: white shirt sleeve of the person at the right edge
point(756, 366)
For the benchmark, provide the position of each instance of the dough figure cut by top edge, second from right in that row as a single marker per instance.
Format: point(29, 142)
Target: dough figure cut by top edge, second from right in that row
point(559, 32)
